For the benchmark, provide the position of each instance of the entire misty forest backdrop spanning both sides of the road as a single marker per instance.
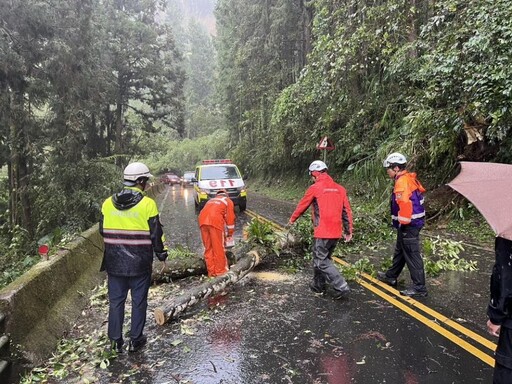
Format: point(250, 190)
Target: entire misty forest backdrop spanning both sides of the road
point(88, 86)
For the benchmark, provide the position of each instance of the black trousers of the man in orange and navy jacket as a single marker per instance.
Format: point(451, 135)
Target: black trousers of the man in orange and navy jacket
point(407, 251)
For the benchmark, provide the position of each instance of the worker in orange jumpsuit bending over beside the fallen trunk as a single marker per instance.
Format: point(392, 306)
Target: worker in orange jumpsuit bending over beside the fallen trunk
point(216, 218)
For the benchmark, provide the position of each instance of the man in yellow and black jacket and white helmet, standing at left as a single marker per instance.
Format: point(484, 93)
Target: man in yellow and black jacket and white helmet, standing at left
point(132, 232)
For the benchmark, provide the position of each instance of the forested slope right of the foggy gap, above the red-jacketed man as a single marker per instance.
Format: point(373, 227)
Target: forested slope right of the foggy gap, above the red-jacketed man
point(381, 76)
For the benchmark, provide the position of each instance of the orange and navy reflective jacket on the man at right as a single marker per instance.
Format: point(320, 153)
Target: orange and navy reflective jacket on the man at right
point(407, 201)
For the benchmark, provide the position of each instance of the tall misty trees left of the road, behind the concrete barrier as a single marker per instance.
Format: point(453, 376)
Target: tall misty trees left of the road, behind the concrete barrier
point(82, 85)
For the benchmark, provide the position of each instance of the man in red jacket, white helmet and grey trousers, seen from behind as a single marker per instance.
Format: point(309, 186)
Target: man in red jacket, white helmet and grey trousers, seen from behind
point(332, 219)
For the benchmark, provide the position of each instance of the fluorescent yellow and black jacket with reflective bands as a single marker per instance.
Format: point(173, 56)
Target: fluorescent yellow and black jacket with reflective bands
point(131, 230)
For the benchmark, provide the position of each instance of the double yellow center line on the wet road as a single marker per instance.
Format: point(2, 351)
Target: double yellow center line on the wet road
point(416, 304)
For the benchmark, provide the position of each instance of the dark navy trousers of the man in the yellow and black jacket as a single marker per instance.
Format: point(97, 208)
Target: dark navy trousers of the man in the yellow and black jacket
point(118, 287)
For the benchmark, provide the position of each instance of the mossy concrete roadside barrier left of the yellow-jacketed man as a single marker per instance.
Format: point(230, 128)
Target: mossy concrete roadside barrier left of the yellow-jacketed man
point(45, 301)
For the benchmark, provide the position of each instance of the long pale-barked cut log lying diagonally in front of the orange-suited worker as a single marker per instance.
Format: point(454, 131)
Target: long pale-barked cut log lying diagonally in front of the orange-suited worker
point(176, 306)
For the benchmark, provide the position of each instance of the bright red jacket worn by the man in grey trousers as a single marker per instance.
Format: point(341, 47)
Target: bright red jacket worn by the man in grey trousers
point(330, 208)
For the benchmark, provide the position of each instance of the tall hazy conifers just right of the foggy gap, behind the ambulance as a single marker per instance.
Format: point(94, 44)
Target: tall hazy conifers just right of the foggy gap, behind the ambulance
point(260, 52)
